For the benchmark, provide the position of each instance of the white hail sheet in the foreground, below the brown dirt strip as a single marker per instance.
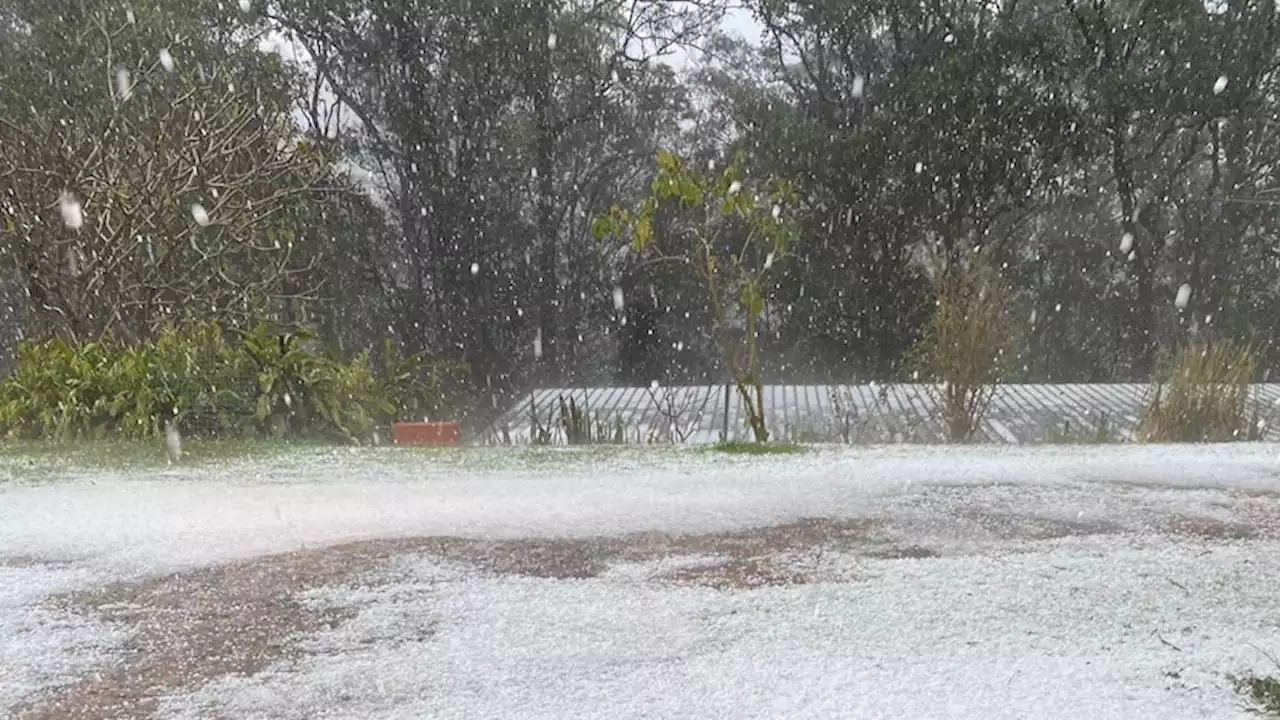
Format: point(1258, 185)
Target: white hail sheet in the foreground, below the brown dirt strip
point(1071, 631)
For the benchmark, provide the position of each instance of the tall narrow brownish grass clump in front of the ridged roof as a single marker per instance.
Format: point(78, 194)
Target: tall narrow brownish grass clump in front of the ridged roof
point(968, 347)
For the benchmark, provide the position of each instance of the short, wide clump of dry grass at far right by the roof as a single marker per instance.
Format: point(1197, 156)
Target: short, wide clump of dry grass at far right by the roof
point(1201, 394)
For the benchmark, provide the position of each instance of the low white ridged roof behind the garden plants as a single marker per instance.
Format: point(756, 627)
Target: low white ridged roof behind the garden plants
point(860, 413)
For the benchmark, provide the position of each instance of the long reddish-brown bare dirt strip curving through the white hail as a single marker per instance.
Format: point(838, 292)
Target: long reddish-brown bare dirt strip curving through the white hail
point(237, 619)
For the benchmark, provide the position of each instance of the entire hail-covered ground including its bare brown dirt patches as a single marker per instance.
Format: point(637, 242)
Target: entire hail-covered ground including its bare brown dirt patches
point(1114, 582)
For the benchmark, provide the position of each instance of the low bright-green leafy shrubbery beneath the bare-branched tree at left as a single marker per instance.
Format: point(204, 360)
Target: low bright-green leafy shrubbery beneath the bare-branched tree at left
point(257, 384)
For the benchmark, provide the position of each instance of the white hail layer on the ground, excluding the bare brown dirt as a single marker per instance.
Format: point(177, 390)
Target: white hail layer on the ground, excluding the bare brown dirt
point(995, 628)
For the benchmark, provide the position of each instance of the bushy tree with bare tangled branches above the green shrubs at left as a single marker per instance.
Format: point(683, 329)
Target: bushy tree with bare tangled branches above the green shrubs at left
point(177, 181)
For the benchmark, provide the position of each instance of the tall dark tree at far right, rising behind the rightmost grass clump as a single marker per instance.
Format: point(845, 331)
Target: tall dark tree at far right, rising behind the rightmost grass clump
point(1154, 81)
